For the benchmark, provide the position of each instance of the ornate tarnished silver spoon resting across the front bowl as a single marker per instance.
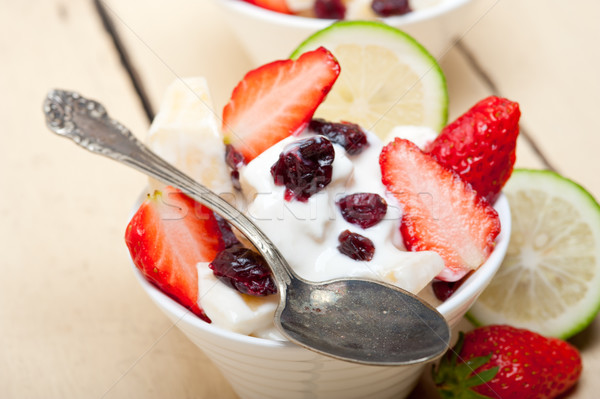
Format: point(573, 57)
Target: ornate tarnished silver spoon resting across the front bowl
point(356, 320)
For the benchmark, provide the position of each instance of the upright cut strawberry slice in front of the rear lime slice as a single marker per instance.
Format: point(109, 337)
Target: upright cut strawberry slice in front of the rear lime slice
point(277, 100)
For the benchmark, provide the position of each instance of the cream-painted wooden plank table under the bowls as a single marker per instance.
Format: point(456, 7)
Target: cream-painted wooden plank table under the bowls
point(73, 321)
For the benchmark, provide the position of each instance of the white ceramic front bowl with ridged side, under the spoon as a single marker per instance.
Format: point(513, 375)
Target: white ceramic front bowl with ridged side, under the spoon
point(262, 369)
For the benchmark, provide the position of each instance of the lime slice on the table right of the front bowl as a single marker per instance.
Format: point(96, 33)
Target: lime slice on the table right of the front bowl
point(549, 281)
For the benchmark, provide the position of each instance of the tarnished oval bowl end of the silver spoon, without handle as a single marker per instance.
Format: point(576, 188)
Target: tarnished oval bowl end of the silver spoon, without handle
point(380, 325)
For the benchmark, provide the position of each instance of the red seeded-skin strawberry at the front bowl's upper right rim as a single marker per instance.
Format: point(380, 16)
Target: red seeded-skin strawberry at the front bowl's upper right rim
point(481, 145)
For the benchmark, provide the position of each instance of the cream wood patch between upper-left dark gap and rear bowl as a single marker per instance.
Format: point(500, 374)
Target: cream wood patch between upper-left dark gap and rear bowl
point(181, 38)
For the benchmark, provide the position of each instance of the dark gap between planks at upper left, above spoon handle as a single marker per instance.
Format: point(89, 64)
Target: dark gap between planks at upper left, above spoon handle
point(134, 77)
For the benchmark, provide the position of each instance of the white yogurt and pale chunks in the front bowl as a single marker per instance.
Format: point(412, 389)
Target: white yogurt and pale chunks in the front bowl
point(186, 133)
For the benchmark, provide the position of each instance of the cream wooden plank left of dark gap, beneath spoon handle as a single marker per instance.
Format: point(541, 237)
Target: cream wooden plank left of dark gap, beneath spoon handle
point(73, 321)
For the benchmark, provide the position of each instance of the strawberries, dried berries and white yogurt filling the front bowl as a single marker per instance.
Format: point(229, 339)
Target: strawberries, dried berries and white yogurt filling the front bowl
point(336, 199)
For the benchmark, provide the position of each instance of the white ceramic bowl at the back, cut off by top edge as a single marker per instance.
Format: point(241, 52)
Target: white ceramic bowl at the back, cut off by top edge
point(268, 35)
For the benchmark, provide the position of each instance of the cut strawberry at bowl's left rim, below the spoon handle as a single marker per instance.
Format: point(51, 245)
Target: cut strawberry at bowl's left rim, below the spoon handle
point(168, 235)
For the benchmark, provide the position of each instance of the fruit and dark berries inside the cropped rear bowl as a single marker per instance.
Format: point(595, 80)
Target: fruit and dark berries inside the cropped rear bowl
point(345, 9)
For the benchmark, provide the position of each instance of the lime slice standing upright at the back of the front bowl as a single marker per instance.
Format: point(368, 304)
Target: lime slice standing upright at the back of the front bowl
point(387, 78)
